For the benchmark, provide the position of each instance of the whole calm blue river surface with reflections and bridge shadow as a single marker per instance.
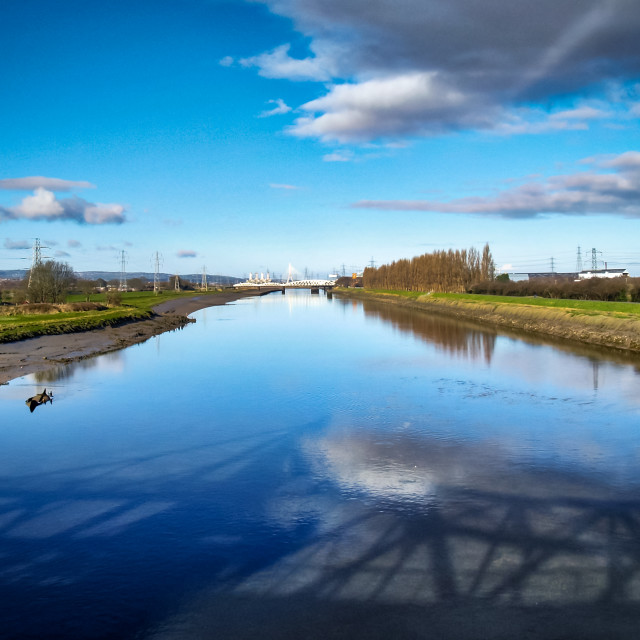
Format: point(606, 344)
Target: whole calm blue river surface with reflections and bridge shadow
point(298, 467)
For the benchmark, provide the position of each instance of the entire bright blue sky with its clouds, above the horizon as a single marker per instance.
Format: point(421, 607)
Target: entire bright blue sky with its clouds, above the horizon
point(247, 135)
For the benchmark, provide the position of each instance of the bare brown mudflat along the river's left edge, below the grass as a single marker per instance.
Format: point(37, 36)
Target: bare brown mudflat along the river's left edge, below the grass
point(45, 352)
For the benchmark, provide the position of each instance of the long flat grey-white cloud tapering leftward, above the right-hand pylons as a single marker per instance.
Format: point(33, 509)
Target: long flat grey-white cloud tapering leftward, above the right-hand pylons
point(616, 193)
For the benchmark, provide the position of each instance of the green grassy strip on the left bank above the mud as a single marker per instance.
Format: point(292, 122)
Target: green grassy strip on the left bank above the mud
point(134, 306)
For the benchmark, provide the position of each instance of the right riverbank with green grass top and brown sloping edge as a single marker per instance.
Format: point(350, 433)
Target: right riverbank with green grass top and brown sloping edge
point(612, 329)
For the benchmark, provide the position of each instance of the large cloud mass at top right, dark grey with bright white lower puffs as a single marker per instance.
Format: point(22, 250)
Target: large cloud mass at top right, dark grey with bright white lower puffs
point(493, 55)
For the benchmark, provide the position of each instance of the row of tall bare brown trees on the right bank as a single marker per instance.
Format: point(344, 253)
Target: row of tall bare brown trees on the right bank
point(442, 271)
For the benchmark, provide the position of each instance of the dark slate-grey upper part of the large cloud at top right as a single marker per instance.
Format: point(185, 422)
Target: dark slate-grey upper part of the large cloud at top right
point(556, 44)
